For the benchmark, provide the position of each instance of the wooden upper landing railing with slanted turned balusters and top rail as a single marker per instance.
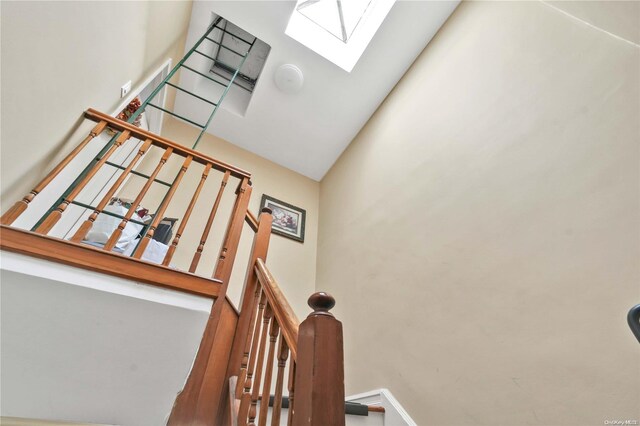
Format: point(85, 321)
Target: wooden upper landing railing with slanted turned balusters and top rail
point(168, 151)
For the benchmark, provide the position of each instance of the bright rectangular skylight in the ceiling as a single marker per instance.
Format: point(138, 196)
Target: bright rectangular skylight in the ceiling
point(338, 30)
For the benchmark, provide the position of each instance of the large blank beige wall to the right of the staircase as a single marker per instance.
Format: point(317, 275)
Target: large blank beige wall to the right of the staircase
point(480, 235)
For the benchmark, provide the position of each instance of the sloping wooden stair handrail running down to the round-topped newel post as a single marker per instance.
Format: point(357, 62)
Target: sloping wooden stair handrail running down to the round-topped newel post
point(282, 310)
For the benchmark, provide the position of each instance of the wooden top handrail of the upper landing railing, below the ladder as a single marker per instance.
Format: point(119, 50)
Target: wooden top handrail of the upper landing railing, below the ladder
point(142, 134)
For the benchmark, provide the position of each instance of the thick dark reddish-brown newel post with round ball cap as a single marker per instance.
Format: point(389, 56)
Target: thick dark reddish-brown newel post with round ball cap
point(319, 379)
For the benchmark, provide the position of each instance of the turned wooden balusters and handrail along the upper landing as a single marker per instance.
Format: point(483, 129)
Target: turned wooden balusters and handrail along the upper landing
point(86, 177)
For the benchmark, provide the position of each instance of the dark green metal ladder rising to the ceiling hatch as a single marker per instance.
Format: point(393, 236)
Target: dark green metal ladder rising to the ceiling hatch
point(219, 24)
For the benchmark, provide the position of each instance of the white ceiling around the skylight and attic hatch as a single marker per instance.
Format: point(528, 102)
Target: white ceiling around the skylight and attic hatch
point(308, 131)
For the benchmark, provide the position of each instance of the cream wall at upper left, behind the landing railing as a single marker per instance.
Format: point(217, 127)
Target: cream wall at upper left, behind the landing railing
point(58, 59)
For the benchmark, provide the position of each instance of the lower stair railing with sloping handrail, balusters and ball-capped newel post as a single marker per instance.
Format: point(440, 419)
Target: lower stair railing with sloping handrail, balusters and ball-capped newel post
point(269, 334)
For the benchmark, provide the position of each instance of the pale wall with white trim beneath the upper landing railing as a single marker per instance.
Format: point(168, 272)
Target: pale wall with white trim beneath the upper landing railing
point(80, 346)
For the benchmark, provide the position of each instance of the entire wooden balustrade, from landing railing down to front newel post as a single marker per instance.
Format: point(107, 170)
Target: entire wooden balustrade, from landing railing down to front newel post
point(245, 344)
